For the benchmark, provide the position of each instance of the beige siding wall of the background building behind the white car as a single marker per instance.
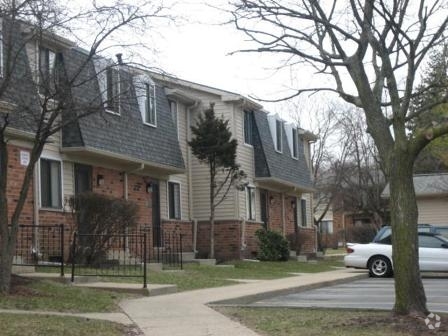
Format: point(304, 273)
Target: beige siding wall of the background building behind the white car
point(433, 211)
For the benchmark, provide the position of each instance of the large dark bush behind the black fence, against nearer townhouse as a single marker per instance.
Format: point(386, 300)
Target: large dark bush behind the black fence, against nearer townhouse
point(103, 217)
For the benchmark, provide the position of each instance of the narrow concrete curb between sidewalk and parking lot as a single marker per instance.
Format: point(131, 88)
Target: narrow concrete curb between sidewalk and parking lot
point(248, 299)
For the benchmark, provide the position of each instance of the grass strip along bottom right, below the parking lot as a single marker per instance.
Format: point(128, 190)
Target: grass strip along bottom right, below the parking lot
point(316, 322)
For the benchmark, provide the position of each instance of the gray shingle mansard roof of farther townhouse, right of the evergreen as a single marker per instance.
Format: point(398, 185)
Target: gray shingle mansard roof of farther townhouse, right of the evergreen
point(280, 166)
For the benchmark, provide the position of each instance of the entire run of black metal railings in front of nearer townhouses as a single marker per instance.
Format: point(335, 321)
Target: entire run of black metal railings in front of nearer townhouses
point(114, 255)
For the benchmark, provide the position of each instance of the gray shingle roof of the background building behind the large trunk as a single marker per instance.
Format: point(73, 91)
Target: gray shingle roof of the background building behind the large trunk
point(426, 185)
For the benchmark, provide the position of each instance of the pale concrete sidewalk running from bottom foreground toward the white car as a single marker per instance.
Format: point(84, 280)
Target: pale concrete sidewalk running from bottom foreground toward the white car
point(187, 313)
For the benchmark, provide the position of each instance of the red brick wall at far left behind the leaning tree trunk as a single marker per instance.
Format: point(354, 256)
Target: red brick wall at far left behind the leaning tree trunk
point(16, 174)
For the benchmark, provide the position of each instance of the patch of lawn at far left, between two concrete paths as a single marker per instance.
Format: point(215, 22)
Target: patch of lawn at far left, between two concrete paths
point(51, 296)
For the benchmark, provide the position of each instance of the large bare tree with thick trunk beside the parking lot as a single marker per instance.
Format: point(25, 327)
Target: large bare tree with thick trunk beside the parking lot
point(373, 50)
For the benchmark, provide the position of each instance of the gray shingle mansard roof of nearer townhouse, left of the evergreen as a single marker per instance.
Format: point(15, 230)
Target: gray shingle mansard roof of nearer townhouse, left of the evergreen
point(126, 134)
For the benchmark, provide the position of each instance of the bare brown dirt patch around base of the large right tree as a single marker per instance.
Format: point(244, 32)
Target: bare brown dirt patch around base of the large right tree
point(415, 326)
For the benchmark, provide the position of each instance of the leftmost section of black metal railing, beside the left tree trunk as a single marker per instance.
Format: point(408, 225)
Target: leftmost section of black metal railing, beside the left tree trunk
point(40, 245)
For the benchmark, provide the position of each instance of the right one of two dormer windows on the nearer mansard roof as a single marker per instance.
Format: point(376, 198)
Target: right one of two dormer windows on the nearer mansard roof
point(145, 91)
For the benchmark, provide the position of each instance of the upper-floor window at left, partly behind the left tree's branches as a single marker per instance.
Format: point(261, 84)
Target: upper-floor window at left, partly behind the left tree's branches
point(49, 62)
